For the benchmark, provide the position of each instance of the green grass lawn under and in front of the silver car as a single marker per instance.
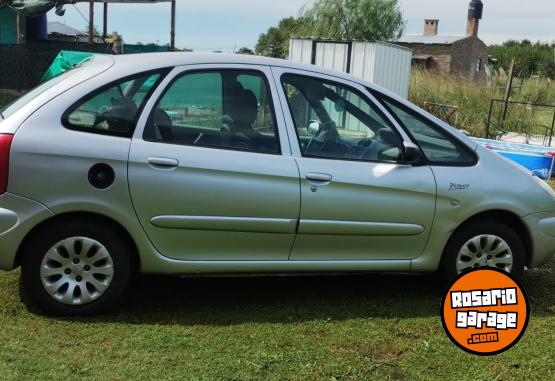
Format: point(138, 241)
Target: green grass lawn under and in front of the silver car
point(329, 328)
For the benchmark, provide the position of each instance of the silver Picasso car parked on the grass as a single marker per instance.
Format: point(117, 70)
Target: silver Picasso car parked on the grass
point(211, 164)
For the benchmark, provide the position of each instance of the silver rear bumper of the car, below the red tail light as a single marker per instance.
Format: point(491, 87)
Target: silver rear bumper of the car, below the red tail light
point(18, 216)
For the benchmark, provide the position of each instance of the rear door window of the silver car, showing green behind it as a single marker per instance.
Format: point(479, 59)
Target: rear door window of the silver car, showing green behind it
point(223, 109)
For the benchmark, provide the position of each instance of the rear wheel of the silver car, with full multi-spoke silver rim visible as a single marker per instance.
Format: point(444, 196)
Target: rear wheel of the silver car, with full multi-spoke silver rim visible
point(78, 268)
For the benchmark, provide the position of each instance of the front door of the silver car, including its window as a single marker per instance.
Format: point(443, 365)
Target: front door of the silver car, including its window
point(358, 200)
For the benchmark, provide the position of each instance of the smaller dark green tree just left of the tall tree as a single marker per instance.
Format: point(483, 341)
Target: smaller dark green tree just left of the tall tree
point(275, 42)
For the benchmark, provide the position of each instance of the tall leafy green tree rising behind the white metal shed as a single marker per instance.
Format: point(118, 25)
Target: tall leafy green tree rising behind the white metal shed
point(374, 20)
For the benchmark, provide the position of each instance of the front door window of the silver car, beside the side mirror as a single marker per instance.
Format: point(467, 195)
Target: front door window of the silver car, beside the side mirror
point(336, 122)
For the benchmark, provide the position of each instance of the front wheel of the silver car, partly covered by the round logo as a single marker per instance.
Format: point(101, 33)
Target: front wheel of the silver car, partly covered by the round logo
point(482, 244)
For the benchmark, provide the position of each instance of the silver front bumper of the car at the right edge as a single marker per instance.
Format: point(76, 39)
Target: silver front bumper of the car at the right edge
point(542, 230)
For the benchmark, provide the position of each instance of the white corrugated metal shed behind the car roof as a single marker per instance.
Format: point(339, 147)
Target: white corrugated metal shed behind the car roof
point(384, 64)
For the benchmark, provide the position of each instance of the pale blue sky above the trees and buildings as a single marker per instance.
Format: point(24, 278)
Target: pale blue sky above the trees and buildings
point(227, 24)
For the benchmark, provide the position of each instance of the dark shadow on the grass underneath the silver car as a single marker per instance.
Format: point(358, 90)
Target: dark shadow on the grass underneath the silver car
point(230, 301)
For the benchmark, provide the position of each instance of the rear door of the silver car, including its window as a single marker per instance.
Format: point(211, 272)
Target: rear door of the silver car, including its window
point(211, 175)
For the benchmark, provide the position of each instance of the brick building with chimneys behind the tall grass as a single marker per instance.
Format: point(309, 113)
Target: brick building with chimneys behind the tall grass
point(464, 55)
